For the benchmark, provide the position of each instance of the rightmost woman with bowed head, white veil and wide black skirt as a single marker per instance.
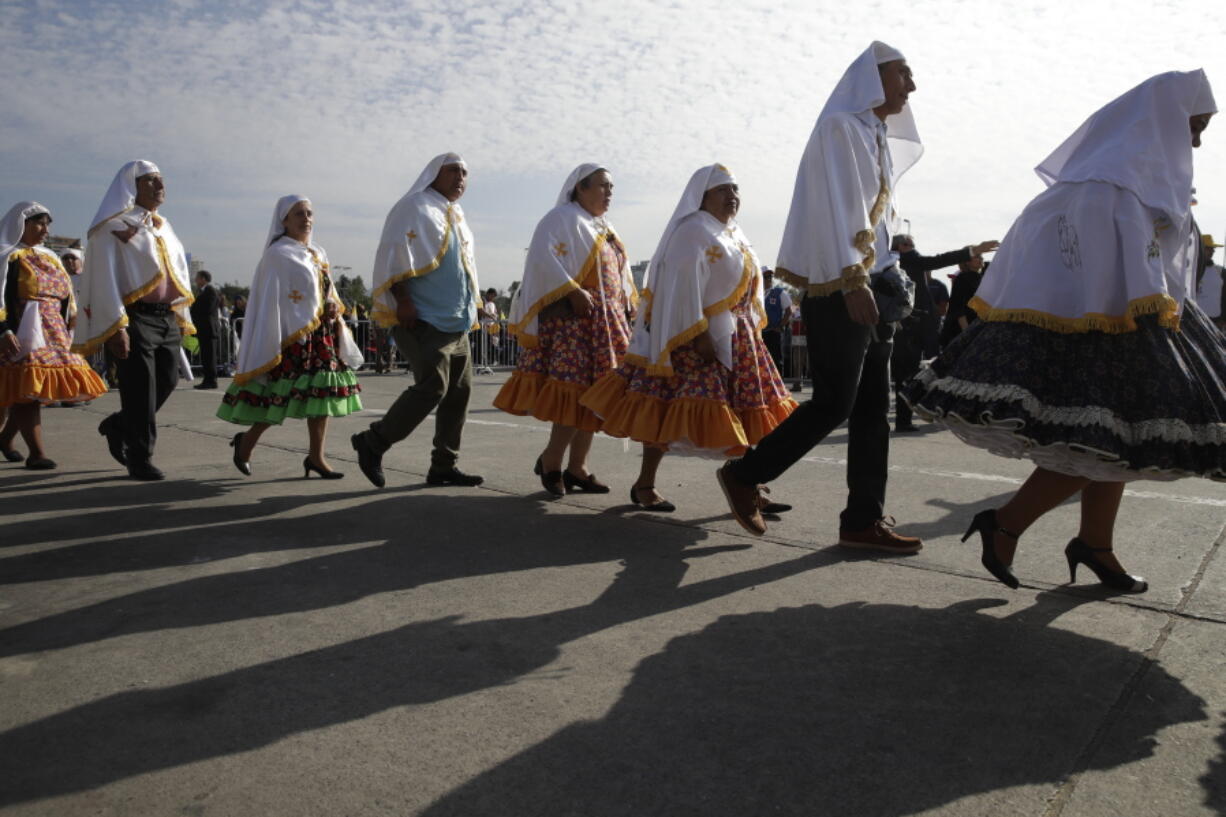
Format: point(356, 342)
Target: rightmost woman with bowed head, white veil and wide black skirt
point(1091, 356)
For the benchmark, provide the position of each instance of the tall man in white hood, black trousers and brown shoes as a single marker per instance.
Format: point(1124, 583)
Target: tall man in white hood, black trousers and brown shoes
point(837, 242)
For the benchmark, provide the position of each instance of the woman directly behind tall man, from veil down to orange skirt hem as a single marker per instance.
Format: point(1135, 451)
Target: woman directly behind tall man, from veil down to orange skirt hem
point(699, 377)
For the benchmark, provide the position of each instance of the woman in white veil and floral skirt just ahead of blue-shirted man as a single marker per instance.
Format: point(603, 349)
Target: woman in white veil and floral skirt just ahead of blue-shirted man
point(572, 318)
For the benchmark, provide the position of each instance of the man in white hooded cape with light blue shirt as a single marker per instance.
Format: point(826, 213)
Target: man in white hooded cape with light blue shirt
point(426, 291)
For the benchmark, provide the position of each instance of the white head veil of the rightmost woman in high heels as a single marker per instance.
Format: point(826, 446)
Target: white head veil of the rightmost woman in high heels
point(1140, 142)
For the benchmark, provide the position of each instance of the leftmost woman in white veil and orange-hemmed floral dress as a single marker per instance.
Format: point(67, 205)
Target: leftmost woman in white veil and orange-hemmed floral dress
point(36, 323)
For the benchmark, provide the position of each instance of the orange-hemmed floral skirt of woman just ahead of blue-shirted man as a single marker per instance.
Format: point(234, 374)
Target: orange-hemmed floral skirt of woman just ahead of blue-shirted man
point(572, 354)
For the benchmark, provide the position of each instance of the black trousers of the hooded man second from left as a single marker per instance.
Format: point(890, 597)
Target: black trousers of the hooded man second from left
point(147, 380)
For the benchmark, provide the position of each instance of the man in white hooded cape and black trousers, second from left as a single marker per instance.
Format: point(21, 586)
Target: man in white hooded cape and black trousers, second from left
point(137, 296)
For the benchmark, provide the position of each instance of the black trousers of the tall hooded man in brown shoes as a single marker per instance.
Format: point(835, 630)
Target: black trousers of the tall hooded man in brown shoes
point(851, 383)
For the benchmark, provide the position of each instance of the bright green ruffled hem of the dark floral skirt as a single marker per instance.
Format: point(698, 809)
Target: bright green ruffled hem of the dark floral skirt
point(326, 394)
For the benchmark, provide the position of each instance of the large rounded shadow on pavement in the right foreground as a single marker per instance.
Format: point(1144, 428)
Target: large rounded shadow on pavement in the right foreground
point(862, 710)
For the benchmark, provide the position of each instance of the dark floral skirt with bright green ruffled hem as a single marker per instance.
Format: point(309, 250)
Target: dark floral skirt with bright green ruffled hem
point(311, 381)
